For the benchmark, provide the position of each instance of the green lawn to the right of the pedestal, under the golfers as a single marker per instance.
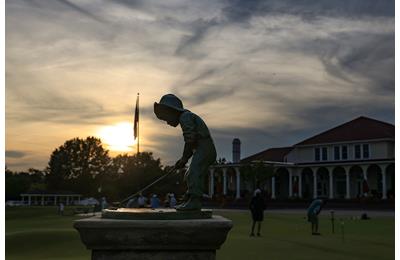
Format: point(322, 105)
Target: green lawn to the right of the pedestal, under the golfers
point(288, 236)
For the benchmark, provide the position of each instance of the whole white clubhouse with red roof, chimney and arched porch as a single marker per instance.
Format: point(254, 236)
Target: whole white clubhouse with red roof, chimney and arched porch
point(349, 161)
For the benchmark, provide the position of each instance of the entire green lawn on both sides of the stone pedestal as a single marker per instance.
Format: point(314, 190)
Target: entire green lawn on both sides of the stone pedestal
point(39, 233)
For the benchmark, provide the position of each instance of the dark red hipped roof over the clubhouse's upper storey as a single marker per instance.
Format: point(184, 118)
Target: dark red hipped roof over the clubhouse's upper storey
point(361, 128)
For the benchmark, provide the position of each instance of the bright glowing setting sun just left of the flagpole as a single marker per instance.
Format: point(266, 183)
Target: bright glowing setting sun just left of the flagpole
point(118, 137)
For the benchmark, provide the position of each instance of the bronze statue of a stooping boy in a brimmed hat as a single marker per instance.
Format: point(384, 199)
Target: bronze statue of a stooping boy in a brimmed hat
point(198, 143)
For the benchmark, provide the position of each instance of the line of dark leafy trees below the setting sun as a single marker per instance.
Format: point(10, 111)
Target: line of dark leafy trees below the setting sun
point(84, 166)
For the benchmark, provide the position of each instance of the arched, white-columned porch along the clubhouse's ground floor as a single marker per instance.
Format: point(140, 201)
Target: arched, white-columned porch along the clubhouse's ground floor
point(345, 180)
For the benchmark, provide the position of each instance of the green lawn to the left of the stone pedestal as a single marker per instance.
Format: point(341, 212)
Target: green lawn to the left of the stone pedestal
point(39, 233)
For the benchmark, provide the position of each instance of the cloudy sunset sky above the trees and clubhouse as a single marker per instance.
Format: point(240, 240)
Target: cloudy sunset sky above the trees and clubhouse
point(269, 72)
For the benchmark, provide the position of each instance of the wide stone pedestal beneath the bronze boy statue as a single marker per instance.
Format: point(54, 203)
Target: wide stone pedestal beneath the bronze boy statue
point(161, 235)
